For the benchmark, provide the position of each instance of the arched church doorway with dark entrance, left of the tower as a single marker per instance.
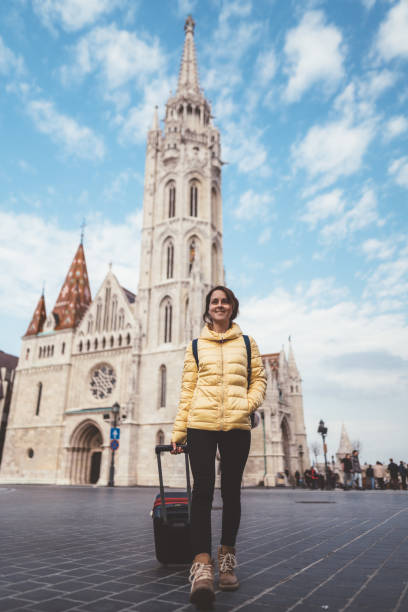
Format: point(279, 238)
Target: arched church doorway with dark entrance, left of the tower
point(86, 453)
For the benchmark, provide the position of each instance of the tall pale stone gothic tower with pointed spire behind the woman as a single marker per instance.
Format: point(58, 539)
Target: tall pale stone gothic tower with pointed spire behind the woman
point(181, 256)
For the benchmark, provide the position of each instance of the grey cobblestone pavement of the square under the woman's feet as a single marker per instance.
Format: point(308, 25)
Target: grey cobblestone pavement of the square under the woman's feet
point(91, 549)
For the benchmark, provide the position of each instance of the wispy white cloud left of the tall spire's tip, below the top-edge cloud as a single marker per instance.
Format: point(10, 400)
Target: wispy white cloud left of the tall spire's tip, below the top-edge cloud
point(118, 56)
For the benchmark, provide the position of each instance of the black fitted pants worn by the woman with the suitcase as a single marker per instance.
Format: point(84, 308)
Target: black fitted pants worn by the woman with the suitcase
point(234, 449)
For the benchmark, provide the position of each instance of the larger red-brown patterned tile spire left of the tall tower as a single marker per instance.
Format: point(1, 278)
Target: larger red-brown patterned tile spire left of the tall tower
point(75, 294)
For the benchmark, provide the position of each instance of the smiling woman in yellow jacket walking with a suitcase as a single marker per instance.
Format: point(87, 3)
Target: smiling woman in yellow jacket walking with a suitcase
point(214, 411)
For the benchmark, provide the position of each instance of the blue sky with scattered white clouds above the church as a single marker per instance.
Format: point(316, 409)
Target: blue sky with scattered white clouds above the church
point(311, 99)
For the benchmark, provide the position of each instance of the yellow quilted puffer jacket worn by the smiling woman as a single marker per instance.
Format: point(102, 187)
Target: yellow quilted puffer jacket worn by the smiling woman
point(216, 397)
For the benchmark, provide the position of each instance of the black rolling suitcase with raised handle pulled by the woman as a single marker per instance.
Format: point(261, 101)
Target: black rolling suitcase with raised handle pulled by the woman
point(171, 518)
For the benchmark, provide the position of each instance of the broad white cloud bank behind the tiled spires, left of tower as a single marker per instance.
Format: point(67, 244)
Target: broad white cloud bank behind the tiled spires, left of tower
point(23, 235)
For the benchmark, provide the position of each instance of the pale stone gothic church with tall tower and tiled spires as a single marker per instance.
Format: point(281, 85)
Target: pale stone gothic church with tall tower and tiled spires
point(117, 359)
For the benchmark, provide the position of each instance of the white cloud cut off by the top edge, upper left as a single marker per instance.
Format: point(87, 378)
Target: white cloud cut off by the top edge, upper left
point(72, 15)
